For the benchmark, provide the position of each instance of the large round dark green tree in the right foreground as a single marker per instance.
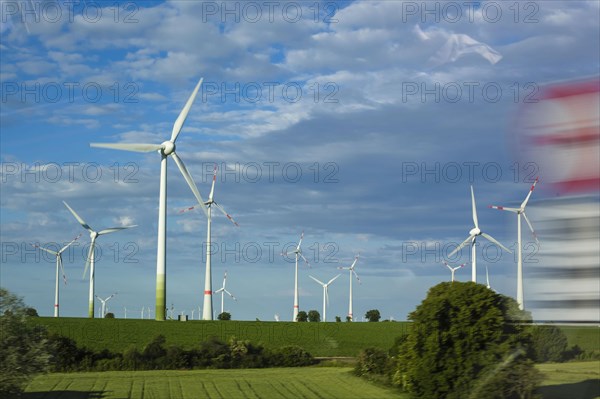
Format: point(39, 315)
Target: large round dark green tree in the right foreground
point(462, 335)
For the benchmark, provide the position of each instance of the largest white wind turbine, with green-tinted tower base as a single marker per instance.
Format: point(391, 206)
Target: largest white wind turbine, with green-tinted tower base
point(165, 149)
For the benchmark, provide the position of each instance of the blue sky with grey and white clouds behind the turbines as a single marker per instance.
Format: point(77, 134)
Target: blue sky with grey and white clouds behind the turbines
point(360, 123)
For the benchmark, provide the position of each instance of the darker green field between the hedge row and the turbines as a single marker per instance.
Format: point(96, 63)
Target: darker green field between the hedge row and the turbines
point(320, 339)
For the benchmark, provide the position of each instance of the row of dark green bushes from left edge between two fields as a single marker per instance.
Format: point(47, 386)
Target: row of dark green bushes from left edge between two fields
point(26, 350)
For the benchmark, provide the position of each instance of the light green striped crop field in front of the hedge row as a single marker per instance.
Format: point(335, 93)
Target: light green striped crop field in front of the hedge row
point(296, 383)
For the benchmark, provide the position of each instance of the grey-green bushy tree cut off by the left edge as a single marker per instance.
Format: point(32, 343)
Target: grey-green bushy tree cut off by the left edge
point(23, 349)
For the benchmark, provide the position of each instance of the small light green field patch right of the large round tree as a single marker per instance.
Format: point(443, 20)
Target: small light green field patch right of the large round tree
point(578, 380)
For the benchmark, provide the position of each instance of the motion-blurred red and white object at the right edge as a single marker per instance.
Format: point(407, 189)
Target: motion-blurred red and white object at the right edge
point(560, 135)
